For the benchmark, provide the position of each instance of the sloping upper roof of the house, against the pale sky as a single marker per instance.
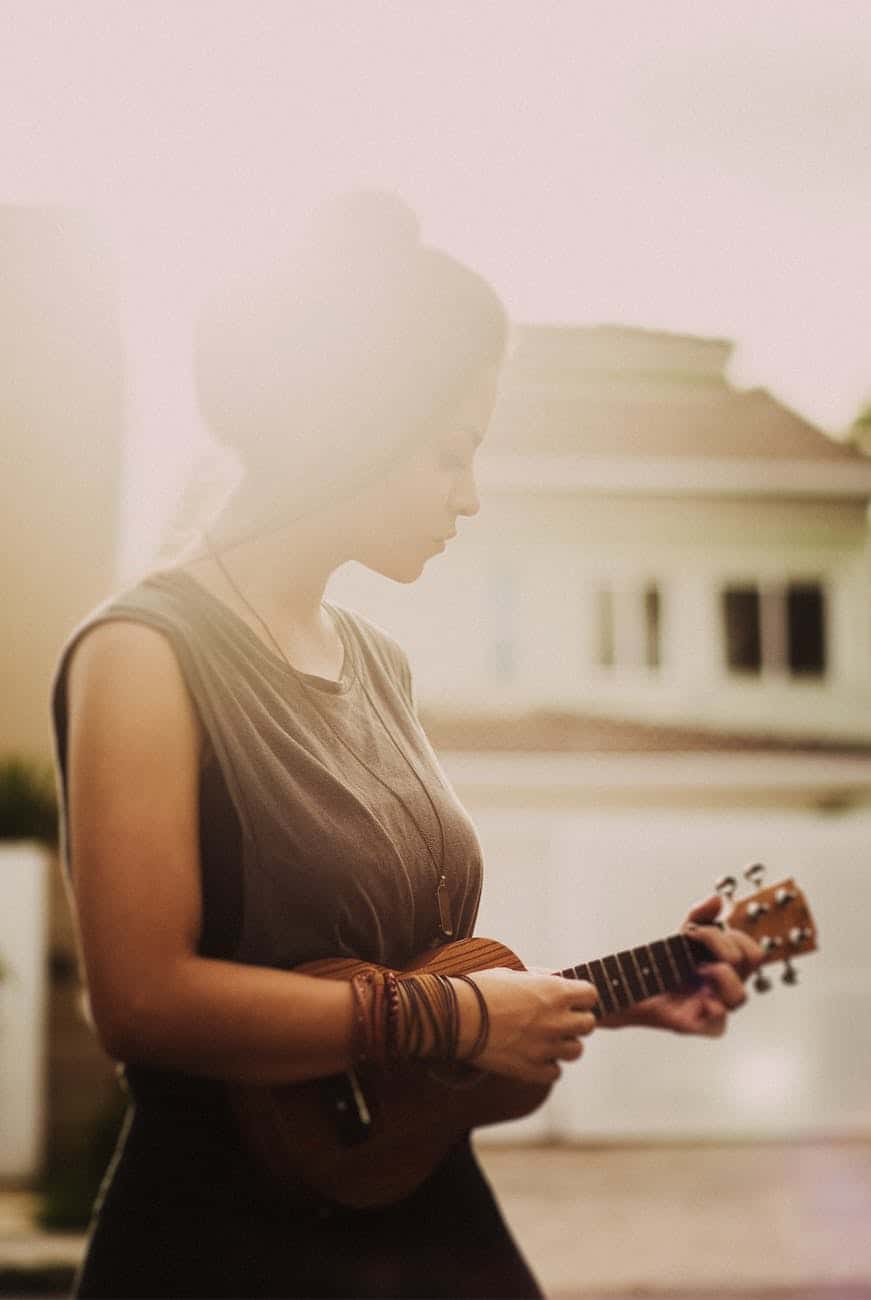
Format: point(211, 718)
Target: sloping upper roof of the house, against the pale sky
point(609, 392)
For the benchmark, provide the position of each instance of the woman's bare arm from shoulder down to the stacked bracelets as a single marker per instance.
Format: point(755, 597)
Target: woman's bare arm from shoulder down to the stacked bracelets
point(133, 769)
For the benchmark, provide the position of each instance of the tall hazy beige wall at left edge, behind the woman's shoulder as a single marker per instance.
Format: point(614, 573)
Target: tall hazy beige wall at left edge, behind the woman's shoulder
point(60, 427)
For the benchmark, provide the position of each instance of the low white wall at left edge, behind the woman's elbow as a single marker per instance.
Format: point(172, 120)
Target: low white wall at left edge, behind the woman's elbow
point(24, 883)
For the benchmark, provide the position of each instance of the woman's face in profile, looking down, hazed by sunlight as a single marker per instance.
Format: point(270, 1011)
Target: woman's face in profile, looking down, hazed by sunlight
point(413, 513)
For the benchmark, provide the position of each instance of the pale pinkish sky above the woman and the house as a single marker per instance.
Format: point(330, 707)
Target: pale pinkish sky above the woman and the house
point(696, 167)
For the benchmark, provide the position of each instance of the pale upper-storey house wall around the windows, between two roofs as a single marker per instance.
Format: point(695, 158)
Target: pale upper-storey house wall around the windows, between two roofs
point(531, 565)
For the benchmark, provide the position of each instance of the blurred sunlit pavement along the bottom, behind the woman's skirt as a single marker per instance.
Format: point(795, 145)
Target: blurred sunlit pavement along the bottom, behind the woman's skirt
point(666, 1223)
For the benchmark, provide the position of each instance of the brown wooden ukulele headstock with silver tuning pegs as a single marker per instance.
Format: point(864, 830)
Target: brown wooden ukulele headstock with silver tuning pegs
point(778, 917)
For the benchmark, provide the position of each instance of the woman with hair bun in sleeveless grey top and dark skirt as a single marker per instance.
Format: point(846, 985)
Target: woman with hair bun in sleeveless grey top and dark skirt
point(248, 788)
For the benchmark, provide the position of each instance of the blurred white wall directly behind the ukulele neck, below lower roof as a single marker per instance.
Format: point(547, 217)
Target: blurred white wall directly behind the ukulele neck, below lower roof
point(796, 1061)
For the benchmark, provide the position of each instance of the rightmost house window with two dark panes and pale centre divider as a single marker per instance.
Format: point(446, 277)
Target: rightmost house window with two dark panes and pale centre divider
point(775, 629)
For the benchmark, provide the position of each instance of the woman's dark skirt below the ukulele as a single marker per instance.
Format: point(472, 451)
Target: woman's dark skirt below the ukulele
point(184, 1212)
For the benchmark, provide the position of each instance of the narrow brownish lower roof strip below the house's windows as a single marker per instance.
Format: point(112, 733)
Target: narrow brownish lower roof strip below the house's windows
point(586, 734)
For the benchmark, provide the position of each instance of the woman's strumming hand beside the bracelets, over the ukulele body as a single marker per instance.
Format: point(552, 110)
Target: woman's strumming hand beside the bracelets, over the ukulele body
point(536, 1021)
